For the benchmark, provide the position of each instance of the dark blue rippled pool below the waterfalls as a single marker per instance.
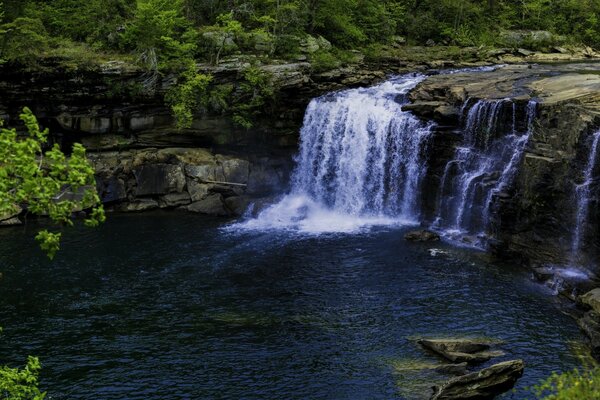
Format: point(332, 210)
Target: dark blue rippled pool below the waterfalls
point(171, 305)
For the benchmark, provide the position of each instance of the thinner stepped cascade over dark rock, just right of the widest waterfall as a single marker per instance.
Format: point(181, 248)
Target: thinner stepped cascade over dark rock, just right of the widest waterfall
point(484, 165)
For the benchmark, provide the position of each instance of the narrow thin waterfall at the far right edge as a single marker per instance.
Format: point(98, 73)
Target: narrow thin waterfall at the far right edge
point(583, 194)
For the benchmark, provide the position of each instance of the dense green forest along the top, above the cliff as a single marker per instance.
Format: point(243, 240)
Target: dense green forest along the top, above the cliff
point(161, 32)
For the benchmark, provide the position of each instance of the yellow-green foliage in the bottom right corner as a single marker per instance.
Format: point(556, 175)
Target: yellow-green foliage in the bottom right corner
point(570, 386)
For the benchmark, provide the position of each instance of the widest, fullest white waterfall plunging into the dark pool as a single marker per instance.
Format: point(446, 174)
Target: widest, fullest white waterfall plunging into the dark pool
point(360, 163)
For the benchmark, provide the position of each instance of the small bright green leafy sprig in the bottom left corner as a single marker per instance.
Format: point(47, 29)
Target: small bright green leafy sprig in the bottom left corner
point(21, 384)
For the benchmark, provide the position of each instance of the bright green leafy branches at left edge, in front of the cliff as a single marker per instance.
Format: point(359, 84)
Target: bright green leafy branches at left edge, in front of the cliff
point(46, 182)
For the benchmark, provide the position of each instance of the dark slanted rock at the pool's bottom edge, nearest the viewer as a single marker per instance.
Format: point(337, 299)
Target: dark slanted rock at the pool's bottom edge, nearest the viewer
point(484, 384)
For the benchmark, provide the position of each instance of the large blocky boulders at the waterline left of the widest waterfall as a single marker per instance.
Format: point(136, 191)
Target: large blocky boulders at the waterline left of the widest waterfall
point(195, 179)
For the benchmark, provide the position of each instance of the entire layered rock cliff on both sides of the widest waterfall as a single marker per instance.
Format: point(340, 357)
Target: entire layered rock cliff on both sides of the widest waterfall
point(215, 167)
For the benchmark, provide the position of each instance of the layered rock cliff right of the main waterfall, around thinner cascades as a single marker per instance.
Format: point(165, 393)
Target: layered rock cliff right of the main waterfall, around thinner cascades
point(535, 217)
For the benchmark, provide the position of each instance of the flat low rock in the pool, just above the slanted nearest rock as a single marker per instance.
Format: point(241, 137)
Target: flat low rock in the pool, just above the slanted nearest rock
point(461, 350)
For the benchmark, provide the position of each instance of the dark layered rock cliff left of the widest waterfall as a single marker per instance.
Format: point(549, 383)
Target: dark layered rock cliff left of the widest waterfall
point(144, 161)
